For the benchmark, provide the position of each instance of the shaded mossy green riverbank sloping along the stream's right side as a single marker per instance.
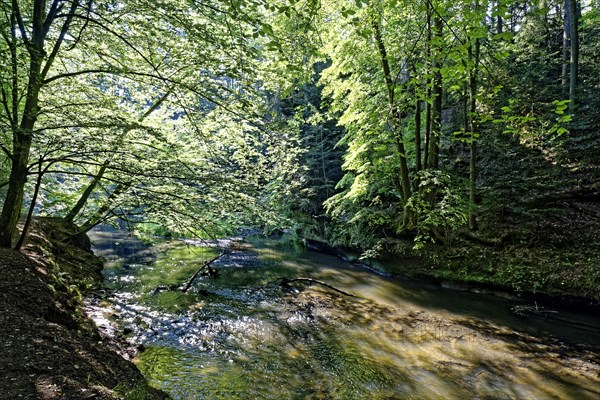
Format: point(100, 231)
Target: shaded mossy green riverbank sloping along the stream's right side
point(549, 255)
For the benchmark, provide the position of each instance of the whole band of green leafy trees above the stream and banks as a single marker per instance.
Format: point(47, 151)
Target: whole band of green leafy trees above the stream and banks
point(354, 121)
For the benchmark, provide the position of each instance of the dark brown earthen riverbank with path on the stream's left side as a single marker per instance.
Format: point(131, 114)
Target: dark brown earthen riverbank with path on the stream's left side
point(50, 349)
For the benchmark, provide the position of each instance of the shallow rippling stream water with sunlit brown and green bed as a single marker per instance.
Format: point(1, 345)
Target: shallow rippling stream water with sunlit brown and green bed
point(241, 335)
